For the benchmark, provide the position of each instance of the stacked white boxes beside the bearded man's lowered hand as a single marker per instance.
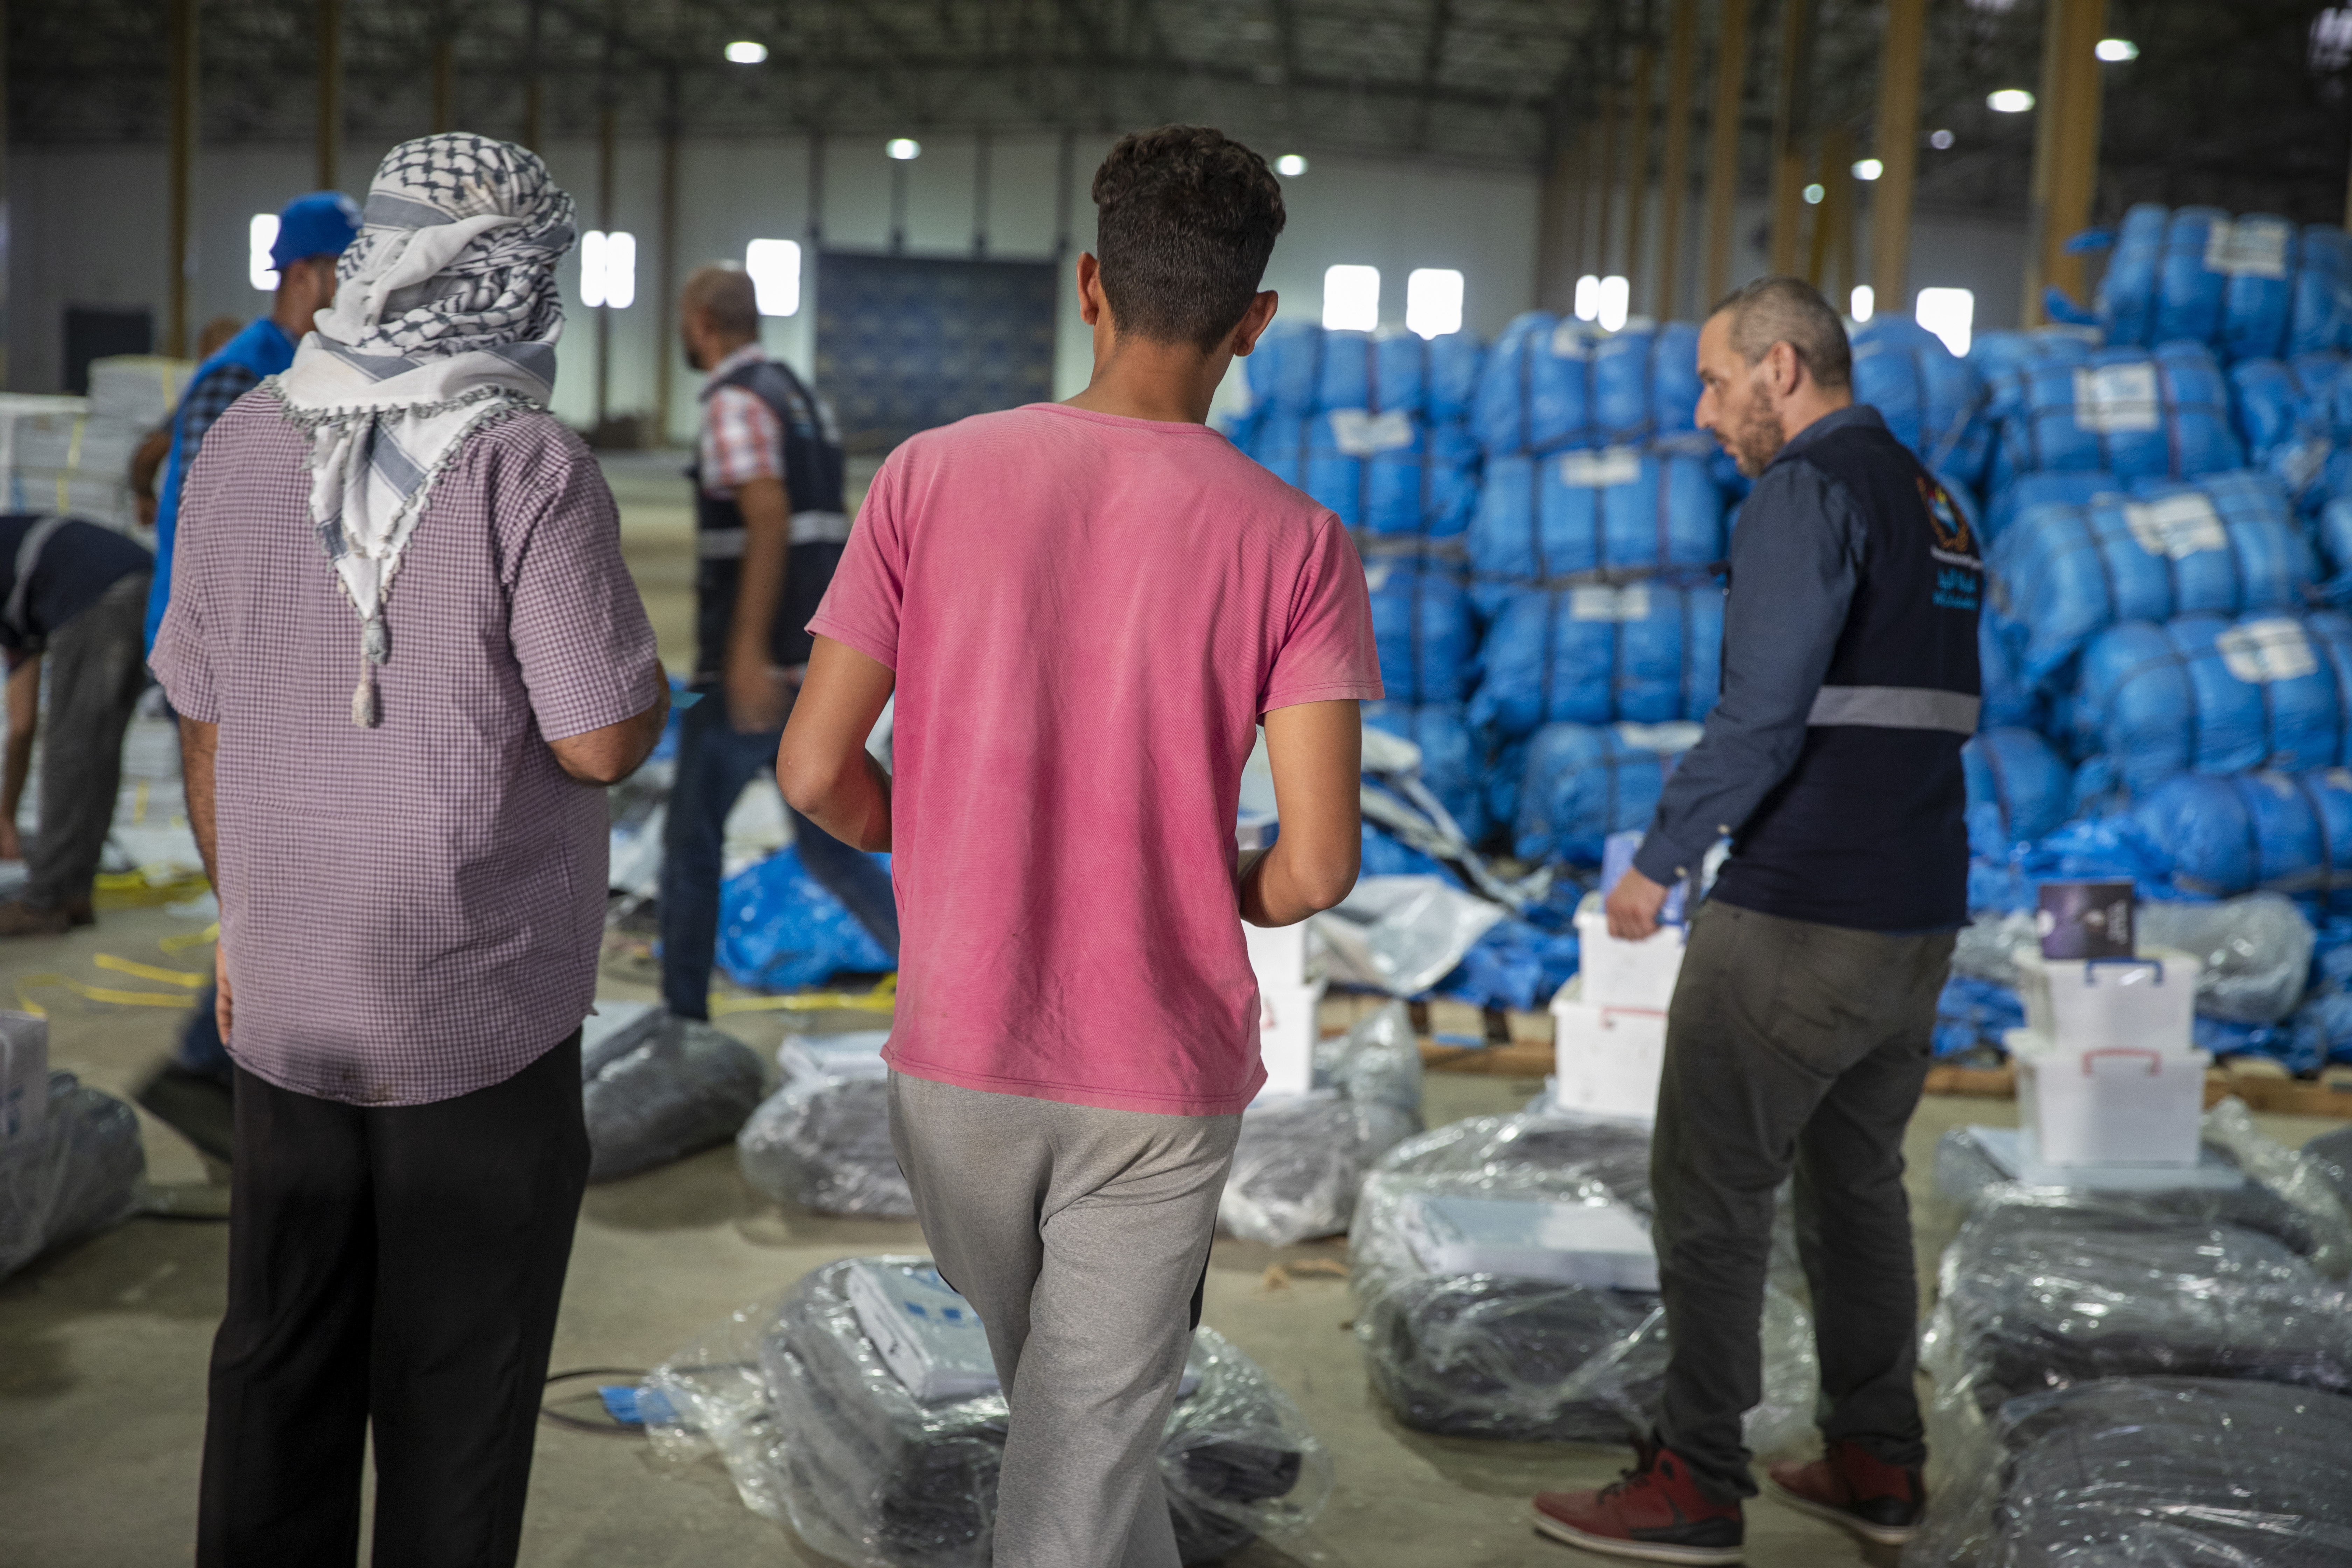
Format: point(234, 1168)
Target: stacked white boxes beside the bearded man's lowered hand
point(1610, 1024)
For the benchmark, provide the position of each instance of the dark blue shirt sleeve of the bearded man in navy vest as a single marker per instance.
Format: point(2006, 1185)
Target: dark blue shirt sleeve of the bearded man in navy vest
point(1796, 556)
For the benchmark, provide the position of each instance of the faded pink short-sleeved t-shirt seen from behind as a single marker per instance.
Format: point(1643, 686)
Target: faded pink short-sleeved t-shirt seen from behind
point(1088, 615)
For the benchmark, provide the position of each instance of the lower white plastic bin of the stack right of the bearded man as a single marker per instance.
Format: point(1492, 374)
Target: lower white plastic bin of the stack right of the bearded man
point(2109, 1106)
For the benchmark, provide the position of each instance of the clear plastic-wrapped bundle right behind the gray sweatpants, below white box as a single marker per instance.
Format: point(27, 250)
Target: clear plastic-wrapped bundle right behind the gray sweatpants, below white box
point(1299, 1162)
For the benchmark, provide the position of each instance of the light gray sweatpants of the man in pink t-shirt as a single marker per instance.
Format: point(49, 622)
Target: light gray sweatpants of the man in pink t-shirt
point(1081, 1238)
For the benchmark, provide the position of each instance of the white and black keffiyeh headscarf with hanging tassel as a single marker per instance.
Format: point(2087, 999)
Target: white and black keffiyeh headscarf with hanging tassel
point(443, 321)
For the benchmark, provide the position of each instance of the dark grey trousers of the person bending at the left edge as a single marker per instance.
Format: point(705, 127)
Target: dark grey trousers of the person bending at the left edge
point(98, 671)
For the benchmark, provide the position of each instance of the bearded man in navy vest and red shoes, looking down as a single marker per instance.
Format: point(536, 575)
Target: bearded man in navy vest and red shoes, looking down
point(1798, 1040)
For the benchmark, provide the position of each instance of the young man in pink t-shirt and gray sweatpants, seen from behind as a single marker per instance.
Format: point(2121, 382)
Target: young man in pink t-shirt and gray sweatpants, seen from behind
point(1085, 610)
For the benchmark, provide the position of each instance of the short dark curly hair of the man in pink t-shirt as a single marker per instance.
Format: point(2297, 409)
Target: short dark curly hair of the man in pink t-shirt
point(1184, 225)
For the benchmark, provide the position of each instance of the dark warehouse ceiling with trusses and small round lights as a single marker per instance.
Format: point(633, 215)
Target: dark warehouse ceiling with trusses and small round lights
point(2238, 102)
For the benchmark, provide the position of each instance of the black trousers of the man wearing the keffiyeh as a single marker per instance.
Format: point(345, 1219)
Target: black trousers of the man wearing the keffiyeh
point(392, 1268)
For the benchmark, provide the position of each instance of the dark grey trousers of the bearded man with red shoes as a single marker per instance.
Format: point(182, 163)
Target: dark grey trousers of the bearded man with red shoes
point(1791, 1050)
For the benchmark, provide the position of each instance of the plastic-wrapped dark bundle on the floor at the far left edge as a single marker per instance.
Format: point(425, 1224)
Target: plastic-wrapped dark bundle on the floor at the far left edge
point(79, 1181)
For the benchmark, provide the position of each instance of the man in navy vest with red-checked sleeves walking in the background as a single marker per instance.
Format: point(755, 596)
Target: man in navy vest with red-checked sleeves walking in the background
point(768, 535)
